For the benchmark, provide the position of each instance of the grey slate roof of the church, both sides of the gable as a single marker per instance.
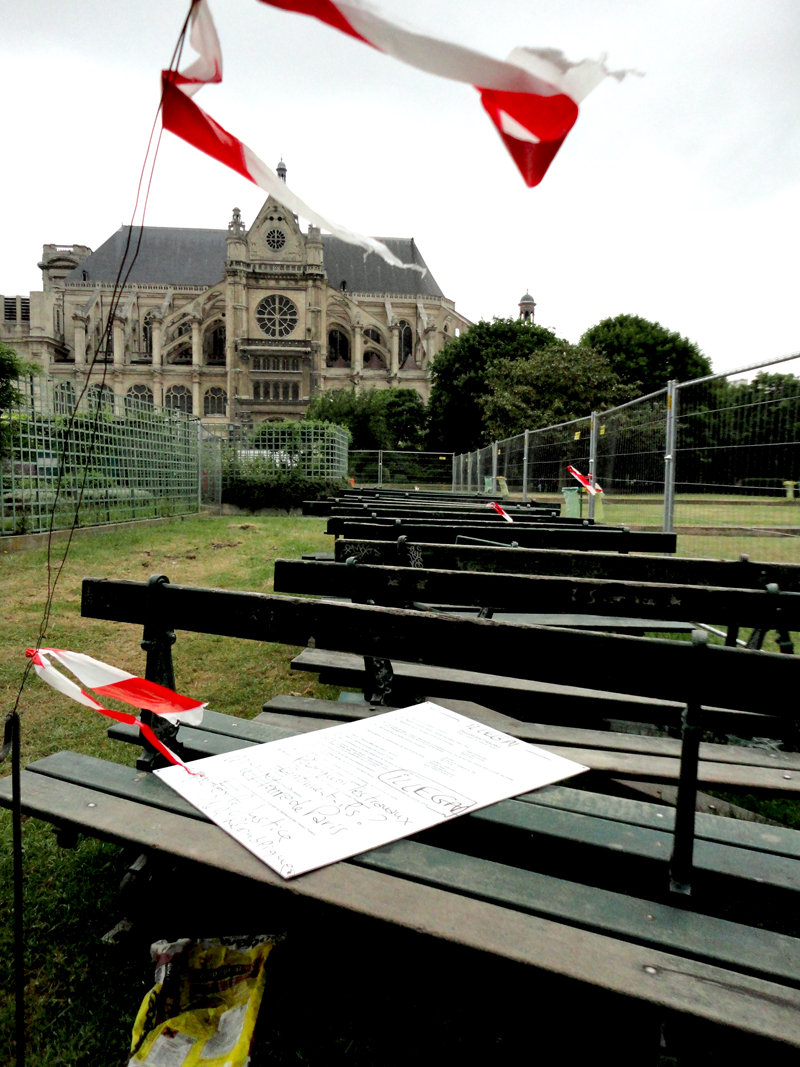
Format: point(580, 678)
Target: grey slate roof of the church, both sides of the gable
point(170, 256)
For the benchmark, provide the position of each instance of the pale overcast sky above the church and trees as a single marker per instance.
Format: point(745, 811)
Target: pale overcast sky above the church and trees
point(676, 196)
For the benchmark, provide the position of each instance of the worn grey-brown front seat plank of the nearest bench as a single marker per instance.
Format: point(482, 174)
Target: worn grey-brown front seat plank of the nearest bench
point(645, 974)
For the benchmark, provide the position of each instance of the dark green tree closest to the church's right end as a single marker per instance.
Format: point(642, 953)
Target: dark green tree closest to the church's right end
point(456, 410)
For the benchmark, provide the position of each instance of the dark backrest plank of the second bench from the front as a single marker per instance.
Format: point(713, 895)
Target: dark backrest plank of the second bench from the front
point(540, 594)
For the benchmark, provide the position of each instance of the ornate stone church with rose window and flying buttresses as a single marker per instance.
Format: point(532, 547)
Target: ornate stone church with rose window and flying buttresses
point(233, 325)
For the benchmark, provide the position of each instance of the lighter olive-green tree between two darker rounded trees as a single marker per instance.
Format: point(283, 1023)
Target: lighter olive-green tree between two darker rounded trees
point(556, 385)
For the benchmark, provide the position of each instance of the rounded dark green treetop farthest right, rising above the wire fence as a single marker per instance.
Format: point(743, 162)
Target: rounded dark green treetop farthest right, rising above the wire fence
point(645, 354)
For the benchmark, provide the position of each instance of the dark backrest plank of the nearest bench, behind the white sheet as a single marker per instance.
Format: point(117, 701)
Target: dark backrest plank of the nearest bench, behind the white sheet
point(667, 671)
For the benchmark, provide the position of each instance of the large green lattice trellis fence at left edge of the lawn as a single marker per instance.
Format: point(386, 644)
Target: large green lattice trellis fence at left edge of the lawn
point(111, 459)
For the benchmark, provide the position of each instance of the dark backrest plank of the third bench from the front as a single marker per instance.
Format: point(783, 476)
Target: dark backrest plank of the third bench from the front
point(590, 565)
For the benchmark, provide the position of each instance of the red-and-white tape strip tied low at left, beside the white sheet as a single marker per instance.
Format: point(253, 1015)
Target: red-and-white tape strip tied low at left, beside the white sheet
point(119, 684)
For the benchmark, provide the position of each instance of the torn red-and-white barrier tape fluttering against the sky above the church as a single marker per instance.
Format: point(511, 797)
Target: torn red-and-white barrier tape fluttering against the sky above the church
point(532, 98)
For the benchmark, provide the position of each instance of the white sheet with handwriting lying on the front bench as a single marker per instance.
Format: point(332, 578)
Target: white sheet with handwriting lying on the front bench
point(306, 802)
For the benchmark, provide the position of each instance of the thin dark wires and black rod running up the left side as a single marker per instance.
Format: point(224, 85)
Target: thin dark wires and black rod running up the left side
point(12, 729)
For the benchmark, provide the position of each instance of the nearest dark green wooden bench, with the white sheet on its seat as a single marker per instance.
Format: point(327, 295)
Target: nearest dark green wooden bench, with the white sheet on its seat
point(565, 881)
